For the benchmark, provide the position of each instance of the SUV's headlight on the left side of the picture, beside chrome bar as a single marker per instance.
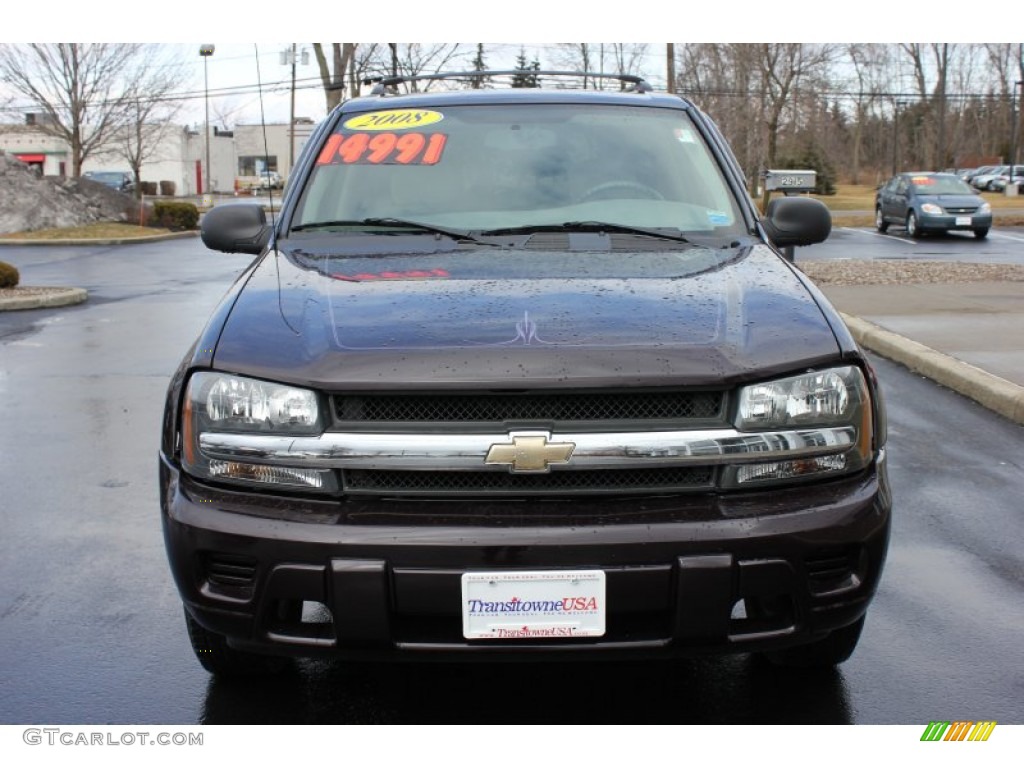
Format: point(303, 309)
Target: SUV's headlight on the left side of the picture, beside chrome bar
point(222, 404)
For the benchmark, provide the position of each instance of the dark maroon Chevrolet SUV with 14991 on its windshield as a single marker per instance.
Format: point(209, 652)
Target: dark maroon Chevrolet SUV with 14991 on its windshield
point(523, 374)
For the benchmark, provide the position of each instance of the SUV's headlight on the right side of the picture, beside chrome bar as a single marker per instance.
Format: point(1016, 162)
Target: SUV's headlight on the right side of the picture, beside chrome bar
point(808, 410)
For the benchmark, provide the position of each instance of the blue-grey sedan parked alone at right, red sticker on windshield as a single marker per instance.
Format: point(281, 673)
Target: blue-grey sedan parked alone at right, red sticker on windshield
point(931, 203)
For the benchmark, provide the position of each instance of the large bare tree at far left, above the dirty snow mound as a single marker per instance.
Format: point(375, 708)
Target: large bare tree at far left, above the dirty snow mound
point(86, 92)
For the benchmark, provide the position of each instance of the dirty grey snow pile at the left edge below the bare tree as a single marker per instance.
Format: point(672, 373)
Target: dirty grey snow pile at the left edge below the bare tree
point(29, 202)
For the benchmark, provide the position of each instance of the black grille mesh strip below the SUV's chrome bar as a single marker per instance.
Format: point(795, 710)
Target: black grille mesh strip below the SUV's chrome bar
point(463, 484)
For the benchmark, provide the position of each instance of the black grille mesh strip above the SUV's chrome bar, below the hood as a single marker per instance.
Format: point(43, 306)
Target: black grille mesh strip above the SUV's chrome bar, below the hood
point(499, 409)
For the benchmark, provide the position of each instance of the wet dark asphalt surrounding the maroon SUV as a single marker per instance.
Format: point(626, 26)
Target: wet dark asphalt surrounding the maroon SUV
point(92, 628)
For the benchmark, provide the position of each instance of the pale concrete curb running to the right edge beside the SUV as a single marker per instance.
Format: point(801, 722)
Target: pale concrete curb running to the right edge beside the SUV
point(993, 392)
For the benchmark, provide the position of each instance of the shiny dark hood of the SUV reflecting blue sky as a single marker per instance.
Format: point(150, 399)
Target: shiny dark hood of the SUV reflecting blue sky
point(510, 319)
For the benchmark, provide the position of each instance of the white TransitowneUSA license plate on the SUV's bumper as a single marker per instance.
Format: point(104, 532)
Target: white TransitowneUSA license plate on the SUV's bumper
point(533, 605)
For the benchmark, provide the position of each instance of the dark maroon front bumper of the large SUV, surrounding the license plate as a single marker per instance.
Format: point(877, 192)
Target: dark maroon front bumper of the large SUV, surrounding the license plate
point(686, 575)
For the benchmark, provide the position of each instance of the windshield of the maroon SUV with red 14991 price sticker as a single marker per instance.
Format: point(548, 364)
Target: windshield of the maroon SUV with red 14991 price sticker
point(510, 166)
